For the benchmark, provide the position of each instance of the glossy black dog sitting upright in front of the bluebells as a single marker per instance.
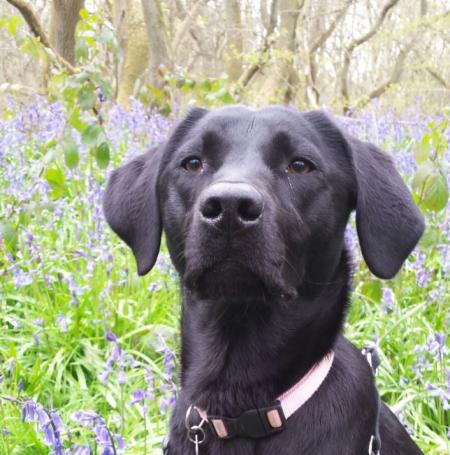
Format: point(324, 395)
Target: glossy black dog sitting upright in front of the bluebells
point(254, 204)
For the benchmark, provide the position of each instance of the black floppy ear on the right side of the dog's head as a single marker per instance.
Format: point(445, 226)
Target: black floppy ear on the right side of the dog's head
point(388, 222)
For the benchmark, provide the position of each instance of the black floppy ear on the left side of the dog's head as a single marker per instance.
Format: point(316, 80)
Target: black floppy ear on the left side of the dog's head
point(132, 210)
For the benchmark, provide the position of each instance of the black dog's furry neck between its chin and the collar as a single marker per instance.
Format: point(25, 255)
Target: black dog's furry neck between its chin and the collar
point(234, 354)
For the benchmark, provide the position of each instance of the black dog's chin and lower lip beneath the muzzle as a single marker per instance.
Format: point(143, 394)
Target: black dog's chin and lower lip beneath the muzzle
point(234, 282)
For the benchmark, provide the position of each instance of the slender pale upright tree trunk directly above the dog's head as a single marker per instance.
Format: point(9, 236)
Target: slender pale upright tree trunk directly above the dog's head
point(234, 39)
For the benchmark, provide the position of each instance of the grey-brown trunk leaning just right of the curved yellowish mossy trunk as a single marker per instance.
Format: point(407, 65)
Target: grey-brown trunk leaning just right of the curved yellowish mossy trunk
point(156, 31)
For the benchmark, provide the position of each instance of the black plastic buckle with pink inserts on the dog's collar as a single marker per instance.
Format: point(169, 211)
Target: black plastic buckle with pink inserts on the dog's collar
point(254, 423)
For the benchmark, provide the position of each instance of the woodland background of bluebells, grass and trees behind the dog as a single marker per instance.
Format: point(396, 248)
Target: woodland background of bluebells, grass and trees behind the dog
point(89, 352)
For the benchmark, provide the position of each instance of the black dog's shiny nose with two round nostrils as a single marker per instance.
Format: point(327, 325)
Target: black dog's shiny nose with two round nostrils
point(238, 204)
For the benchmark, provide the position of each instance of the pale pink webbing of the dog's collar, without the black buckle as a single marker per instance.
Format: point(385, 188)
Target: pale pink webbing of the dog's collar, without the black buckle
point(289, 402)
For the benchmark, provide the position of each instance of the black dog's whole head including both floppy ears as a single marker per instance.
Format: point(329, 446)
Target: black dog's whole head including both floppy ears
point(258, 200)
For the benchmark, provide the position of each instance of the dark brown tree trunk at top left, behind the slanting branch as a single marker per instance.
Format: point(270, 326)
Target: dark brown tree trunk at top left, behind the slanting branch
point(64, 19)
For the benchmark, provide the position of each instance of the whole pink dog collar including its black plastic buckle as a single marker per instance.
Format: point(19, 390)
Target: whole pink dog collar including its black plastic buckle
point(261, 422)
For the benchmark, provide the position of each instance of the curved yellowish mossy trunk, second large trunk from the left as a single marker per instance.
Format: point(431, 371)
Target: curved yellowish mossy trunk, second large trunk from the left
point(132, 32)
